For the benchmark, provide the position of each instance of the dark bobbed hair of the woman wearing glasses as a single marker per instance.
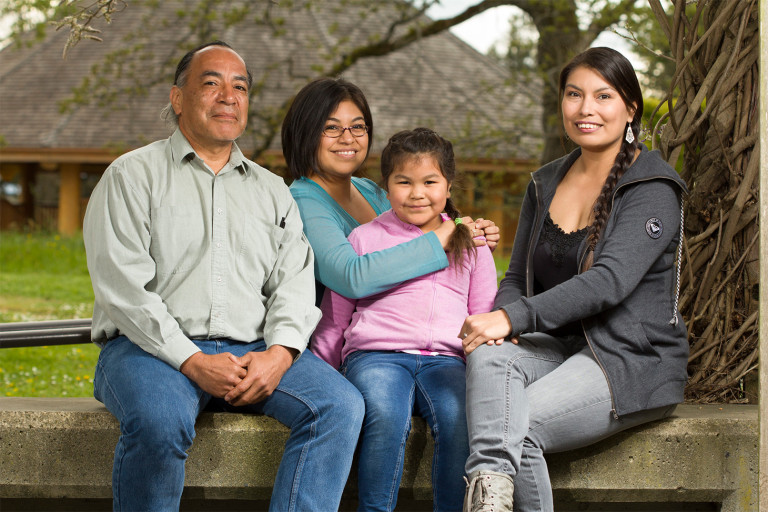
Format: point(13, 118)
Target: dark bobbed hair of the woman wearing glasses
point(303, 124)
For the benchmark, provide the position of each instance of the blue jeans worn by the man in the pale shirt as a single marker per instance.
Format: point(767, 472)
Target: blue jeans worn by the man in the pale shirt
point(157, 405)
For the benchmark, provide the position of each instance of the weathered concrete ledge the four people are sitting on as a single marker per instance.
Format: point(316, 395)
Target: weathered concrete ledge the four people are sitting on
point(63, 447)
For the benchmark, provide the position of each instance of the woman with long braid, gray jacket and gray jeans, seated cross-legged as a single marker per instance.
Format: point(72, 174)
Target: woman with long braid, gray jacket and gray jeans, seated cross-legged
point(585, 339)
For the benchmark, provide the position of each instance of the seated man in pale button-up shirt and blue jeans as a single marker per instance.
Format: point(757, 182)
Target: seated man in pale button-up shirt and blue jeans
point(205, 297)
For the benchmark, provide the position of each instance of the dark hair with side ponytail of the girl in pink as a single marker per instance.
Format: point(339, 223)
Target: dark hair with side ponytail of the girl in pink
point(420, 142)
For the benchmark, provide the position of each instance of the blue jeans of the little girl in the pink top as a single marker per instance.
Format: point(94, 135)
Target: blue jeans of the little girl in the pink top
point(396, 386)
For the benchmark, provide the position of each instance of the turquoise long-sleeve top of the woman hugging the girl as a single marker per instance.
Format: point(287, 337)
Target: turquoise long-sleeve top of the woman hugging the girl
point(337, 265)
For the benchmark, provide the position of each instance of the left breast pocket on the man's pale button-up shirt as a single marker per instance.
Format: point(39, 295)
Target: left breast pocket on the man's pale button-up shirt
point(178, 239)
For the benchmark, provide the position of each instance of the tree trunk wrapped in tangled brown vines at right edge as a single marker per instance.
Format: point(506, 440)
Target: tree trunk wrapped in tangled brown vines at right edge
point(713, 123)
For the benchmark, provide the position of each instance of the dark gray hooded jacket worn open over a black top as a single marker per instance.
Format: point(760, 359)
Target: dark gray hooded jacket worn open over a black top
point(627, 300)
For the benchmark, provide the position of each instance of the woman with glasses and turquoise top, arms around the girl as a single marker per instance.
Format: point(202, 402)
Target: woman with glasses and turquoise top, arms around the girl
point(326, 136)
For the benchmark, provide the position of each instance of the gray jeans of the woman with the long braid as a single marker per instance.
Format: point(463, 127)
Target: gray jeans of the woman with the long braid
point(543, 395)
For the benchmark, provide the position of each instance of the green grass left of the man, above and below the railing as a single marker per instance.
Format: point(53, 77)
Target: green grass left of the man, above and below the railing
point(43, 276)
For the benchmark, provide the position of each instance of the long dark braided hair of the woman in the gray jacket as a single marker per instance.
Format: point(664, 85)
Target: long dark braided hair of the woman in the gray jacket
point(619, 73)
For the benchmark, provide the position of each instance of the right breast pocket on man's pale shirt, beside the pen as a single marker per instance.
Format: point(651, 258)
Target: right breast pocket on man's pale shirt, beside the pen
point(259, 252)
